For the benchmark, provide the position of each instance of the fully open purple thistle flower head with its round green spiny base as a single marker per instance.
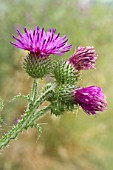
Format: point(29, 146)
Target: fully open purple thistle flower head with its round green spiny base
point(40, 45)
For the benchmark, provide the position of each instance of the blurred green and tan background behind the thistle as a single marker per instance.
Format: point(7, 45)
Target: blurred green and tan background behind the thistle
point(68, 142)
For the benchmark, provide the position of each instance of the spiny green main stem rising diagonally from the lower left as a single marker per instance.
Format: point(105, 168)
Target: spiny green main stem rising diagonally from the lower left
point(28, 118)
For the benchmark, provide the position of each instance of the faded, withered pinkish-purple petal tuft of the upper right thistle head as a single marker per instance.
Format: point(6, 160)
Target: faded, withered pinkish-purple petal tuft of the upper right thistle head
point(84, 58)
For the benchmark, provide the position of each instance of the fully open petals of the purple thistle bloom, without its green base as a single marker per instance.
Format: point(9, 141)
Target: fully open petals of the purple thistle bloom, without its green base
point(41, 43)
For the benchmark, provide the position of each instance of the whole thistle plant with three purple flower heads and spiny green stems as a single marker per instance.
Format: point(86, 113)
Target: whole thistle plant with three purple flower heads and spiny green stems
point(63, 93)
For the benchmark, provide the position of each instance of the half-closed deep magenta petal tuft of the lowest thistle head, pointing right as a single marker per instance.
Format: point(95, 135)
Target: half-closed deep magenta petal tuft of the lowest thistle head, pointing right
point(91, 99)
